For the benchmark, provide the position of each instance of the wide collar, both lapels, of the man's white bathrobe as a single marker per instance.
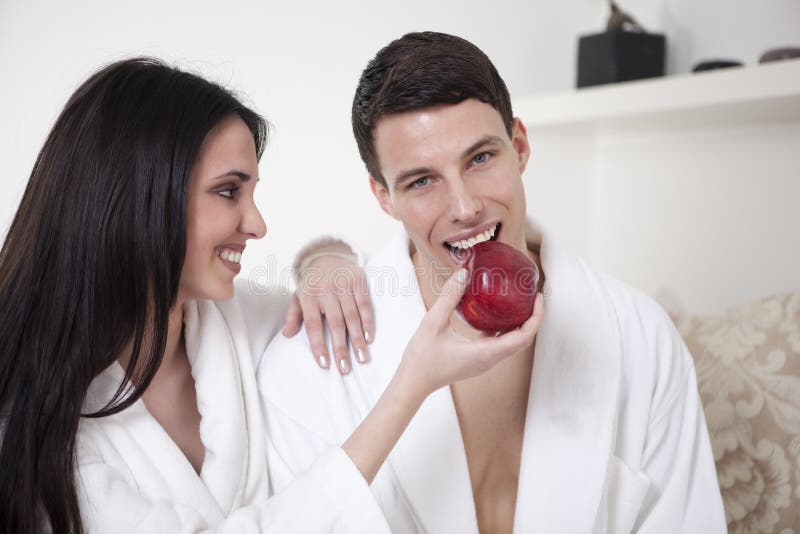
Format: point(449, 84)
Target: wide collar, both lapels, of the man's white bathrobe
point(570, 421)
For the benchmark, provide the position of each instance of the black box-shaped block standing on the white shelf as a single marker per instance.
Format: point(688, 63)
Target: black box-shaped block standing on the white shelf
point(618, 56)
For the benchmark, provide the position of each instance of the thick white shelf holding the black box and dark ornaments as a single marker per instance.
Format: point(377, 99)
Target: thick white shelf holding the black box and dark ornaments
point(744, 95)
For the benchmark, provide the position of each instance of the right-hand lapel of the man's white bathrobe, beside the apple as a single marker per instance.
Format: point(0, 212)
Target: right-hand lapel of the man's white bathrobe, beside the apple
point(570, 422)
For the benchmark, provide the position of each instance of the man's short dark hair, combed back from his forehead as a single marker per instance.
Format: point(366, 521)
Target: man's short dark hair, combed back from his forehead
point(421, 70)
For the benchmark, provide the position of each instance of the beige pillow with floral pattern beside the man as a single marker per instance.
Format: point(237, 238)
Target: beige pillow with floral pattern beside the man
point(748, 370)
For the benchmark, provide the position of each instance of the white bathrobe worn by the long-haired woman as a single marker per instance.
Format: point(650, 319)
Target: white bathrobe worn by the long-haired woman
point(132, 477)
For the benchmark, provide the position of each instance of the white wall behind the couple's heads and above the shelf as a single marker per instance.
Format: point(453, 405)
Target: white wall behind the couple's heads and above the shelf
point(298, 62)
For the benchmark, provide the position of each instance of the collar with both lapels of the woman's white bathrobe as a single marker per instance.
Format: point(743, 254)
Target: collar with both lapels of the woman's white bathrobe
point(235, 459)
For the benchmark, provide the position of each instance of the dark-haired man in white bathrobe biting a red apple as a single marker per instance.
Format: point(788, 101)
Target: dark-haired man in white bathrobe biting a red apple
point(596, 427)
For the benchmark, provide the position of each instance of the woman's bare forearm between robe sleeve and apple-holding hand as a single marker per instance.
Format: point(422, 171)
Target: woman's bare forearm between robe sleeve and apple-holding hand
point(370, 444)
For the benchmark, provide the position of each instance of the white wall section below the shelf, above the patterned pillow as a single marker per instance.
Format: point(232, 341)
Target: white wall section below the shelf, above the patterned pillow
point(700, 220)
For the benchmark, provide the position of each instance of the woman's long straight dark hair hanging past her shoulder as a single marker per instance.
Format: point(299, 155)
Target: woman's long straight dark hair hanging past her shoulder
point(91, 263)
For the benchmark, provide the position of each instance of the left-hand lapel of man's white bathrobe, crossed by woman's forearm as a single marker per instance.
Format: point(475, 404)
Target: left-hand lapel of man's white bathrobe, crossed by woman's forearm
point(428, 462)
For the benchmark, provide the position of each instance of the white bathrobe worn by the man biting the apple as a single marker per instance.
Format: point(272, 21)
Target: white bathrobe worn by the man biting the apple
point(615, 439)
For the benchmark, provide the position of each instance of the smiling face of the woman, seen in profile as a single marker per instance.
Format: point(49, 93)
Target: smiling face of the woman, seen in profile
point(220, 213)
